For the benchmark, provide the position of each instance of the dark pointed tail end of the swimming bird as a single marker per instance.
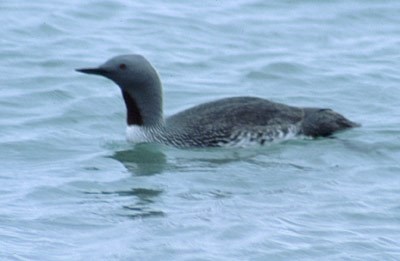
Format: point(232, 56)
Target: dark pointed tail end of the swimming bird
point(324, 122)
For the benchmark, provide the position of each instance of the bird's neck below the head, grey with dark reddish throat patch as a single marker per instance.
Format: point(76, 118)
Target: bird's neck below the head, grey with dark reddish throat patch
point(143, 111)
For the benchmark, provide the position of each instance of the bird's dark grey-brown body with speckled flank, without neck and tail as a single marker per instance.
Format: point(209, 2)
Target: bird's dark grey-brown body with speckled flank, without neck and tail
point(232, 120)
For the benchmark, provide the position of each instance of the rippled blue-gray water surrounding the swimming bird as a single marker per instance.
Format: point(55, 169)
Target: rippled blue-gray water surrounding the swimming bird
point(72, 188)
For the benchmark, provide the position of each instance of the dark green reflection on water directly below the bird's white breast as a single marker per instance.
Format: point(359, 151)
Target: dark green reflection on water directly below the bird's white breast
point(143, 159)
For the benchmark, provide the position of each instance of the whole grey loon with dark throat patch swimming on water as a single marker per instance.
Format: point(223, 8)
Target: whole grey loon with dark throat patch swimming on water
point(235, 121)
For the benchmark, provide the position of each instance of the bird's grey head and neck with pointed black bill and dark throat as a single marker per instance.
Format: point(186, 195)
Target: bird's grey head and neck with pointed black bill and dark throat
point(140, 86)
